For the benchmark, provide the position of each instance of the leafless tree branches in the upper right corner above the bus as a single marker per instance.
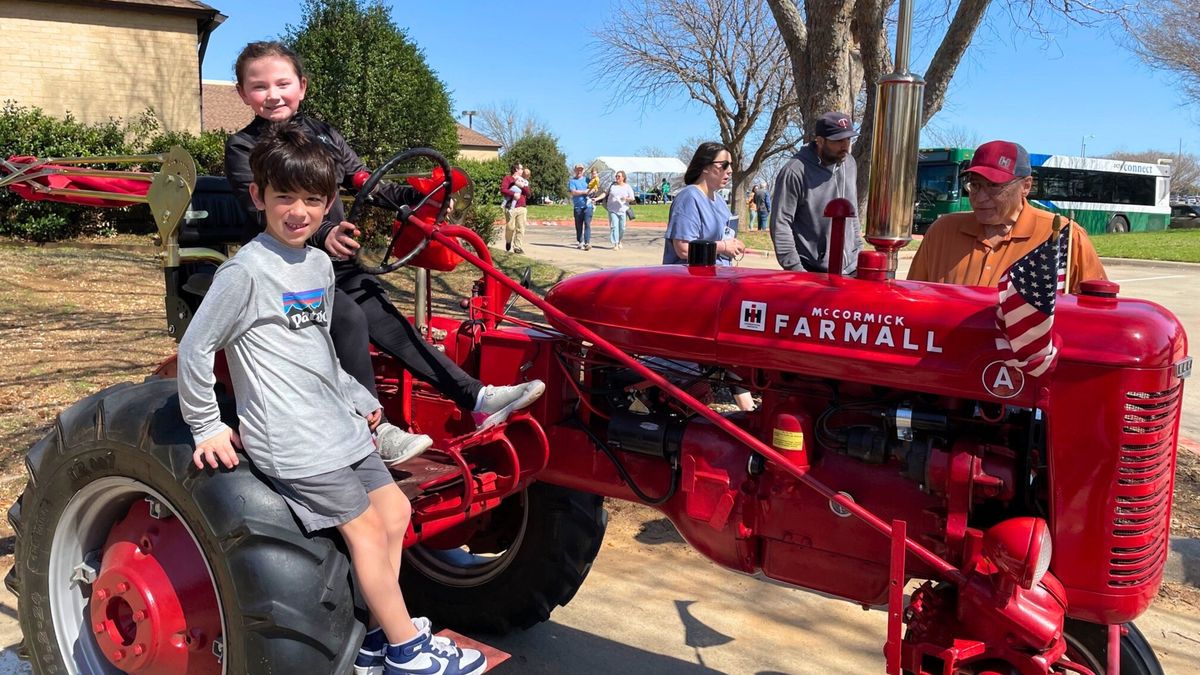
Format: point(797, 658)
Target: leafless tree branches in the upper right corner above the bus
point(1167, 35)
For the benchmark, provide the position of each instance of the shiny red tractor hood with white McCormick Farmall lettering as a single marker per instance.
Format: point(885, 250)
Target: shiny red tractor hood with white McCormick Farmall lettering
point(933, 338)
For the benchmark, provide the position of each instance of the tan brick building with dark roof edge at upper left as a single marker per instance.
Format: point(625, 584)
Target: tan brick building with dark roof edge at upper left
point(101, 59)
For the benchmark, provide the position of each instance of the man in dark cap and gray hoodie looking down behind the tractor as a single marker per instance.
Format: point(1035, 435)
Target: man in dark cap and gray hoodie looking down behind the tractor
point(823, 171)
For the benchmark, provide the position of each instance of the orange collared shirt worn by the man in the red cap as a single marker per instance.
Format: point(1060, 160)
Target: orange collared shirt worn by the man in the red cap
point(955, 252)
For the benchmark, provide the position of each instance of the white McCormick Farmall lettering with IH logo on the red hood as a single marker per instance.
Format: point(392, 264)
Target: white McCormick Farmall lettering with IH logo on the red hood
point(839, 325)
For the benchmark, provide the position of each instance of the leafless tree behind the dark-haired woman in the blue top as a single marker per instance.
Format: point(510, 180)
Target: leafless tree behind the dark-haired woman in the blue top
point(724, 55)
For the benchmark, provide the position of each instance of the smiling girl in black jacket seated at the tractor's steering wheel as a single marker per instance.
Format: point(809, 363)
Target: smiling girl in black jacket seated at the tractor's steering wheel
point(271, 81)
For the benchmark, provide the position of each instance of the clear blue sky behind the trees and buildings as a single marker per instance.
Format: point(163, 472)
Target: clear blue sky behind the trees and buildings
point(1046, 95)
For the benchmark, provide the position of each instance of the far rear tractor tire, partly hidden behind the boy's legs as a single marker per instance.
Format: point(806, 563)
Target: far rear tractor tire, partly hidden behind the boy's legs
point(533, 557)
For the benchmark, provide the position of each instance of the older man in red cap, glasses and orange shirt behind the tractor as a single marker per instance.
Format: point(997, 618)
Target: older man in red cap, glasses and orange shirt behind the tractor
point(976, 248)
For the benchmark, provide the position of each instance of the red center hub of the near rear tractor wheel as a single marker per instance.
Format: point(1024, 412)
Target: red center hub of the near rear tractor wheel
point(153, 607)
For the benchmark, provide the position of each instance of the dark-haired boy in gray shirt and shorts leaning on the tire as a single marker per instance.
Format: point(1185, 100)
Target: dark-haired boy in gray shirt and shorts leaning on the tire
point(305, 423)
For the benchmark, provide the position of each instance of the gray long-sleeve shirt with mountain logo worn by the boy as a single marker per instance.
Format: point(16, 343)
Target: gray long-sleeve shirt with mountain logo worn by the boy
point(269, 309)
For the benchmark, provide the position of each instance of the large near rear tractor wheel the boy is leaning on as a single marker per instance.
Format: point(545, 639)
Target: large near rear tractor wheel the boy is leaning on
point(284, 601)
